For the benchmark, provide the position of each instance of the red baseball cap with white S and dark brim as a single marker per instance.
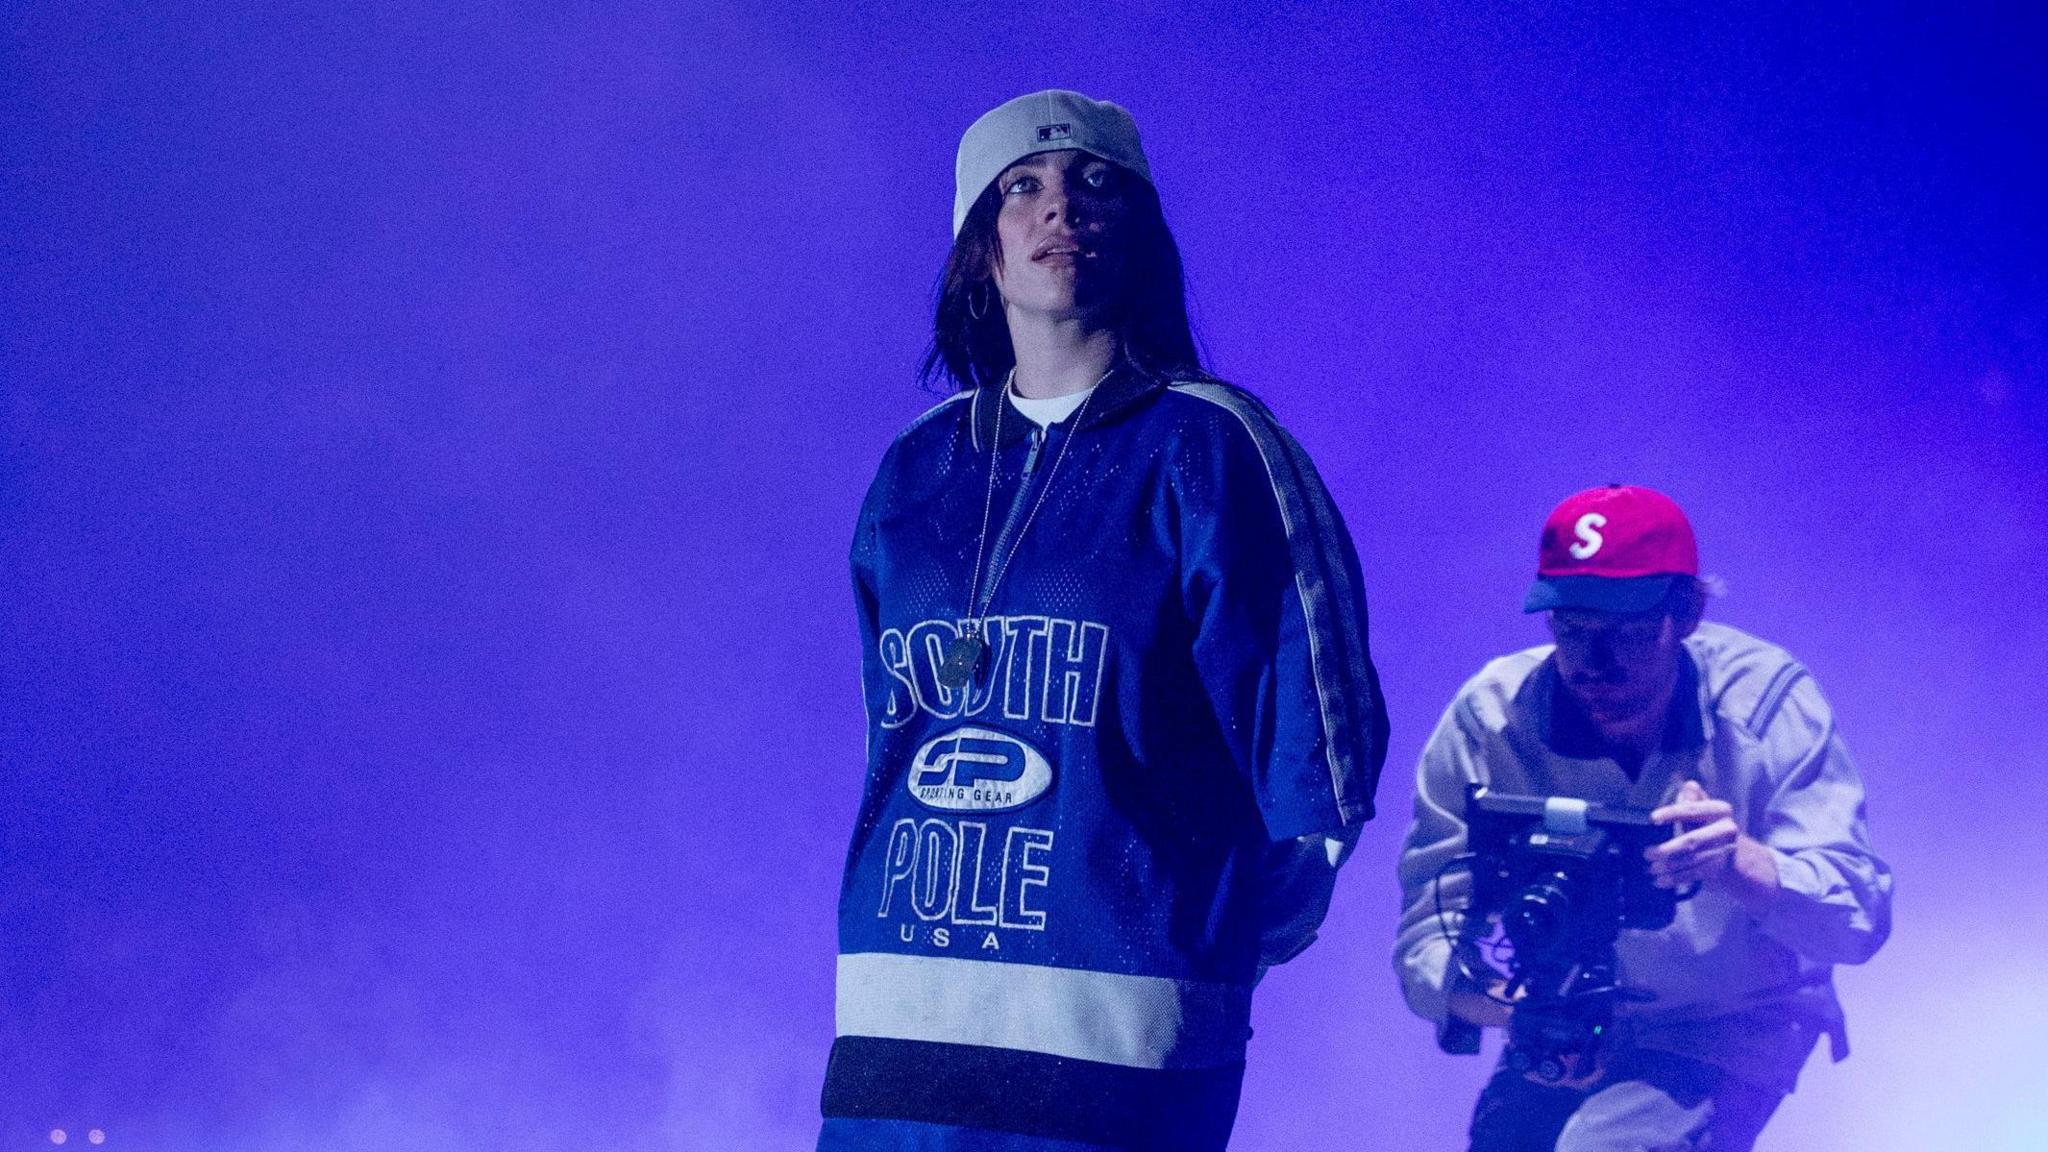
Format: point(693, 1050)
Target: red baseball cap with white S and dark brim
point(1613, 550)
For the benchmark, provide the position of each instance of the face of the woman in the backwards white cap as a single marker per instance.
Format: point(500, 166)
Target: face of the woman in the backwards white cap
point(1060, 235)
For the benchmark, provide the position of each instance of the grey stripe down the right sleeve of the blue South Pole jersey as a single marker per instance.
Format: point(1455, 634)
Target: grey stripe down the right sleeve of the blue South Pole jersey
point(1345, 684)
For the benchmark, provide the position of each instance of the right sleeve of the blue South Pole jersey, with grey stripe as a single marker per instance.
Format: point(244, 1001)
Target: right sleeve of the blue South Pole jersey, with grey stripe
point(1275, 593)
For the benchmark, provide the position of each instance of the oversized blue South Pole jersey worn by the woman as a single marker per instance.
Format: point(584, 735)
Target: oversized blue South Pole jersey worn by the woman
point(1056, 893)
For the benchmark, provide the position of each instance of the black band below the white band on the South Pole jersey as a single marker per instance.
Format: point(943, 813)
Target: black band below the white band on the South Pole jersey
point(1166, 1110)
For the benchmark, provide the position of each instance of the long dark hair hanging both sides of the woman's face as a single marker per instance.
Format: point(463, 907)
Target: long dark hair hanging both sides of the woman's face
point(1150, 313)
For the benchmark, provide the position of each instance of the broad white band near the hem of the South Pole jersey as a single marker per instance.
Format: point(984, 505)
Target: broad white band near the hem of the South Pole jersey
point(1136, 1022)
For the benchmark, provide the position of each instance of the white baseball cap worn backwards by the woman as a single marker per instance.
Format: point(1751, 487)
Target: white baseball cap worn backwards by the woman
point(1043, 122)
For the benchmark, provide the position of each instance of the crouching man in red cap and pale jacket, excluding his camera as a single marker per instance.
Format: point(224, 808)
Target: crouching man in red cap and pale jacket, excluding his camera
point(1723, 737)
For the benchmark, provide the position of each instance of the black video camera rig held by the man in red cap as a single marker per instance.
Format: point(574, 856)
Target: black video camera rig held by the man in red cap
point(1562, 878)
